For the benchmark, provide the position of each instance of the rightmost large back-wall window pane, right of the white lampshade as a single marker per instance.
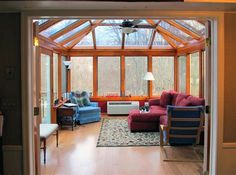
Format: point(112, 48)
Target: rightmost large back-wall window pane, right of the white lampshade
point(163, 72)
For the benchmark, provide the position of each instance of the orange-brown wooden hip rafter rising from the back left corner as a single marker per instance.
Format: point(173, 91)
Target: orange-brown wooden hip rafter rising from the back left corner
point(83, 33)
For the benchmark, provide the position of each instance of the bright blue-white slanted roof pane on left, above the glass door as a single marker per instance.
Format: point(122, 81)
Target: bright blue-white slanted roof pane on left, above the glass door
point(57, 27)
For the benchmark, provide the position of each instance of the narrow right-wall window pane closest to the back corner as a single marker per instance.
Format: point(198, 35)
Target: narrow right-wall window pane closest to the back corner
point(182, 74)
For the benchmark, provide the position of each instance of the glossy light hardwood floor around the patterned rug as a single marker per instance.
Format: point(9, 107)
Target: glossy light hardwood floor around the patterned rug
point(77, 154)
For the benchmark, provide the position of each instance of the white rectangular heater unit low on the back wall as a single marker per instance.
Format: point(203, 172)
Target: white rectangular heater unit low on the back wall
point(121, 107)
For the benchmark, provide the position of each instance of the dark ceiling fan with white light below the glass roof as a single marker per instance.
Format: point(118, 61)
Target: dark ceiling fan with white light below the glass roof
point(128, 26)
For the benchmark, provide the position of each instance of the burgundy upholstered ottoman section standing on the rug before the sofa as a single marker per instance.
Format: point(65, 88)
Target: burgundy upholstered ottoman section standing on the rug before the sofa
point(143, 121)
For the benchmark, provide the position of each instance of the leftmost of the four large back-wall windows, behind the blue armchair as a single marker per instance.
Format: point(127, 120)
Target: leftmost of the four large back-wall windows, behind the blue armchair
point(82, 74)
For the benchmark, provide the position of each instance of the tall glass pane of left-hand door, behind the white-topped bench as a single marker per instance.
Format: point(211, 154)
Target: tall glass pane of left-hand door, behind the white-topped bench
point(45, 89)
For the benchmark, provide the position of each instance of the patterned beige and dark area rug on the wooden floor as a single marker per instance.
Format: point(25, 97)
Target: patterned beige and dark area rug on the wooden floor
point(115, 133)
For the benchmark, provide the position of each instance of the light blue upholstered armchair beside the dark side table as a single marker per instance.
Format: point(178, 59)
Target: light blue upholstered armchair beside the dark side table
point(86, 114)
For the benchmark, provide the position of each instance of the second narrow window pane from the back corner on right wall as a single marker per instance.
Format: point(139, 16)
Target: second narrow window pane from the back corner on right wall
point(194, 74)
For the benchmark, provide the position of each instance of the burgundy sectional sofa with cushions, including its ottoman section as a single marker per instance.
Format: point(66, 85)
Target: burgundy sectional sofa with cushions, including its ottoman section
point(150, 121)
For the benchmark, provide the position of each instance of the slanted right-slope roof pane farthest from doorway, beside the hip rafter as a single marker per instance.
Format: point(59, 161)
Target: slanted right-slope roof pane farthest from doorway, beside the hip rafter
point(175, 31)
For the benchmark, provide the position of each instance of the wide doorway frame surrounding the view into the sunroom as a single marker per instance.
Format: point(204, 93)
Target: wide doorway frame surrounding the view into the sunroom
point(217, 70)
